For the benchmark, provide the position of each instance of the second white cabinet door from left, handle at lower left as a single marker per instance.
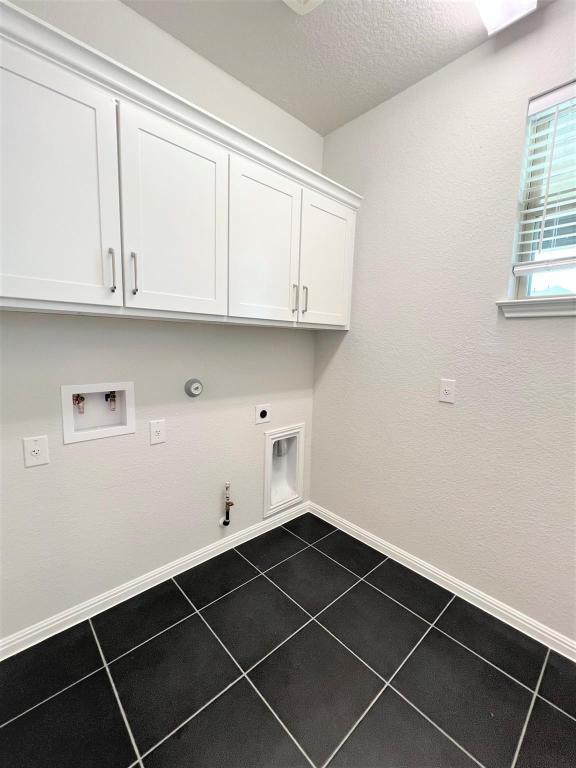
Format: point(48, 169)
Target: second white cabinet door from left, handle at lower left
point(175, 212)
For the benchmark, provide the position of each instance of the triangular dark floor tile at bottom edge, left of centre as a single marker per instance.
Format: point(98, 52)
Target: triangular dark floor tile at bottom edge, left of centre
point(237, 730)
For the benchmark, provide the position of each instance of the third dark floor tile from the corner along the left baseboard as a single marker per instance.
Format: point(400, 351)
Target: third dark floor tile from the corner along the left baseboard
point(215, 577)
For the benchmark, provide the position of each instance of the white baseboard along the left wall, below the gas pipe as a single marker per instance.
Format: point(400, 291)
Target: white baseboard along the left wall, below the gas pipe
point(23, 639)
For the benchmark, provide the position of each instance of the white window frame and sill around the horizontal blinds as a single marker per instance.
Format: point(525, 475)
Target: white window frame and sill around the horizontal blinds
point(518, 304)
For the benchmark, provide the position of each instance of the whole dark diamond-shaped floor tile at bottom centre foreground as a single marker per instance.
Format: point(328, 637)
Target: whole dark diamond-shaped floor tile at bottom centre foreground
point(317, 688)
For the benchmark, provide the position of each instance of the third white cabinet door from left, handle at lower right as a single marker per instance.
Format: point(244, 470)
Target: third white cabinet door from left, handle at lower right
point(264, 242)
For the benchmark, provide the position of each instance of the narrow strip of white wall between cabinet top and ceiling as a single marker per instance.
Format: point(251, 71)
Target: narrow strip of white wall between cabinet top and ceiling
point(124, 35)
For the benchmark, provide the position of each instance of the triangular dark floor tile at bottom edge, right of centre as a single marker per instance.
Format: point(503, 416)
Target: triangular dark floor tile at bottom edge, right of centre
point(394, 735)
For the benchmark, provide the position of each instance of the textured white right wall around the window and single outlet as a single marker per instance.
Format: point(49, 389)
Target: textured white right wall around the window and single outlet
point(484, 489)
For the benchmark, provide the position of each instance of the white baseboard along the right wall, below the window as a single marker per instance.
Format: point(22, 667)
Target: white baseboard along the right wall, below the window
point(549, 637)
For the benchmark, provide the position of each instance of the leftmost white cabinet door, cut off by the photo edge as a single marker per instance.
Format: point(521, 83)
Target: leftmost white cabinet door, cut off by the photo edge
point(60, 214)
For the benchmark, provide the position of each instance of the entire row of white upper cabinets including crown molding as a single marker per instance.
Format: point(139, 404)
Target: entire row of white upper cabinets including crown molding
point(120, 198)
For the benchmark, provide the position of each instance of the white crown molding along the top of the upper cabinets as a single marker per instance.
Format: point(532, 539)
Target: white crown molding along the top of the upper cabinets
point(26, 30)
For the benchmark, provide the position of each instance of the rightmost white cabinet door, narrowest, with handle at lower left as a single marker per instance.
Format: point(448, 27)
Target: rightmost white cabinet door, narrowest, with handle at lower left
point(326, 255)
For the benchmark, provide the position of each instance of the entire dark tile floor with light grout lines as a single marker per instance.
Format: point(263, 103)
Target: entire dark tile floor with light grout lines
point(301, 647)
